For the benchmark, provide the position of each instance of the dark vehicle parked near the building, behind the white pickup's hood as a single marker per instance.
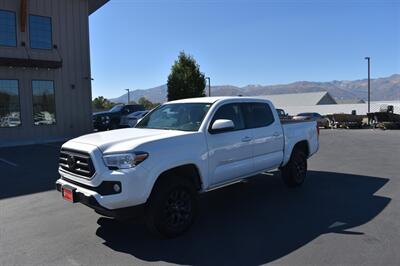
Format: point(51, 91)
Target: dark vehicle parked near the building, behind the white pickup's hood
point(111, 119)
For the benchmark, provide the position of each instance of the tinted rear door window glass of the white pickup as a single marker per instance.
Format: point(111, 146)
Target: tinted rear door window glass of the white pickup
point(258, 115)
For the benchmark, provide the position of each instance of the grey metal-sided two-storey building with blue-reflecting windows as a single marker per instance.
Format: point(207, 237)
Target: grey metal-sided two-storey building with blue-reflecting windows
point(45, 78)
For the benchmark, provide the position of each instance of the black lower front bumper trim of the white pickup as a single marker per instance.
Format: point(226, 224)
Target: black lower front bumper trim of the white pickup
point(92, 202)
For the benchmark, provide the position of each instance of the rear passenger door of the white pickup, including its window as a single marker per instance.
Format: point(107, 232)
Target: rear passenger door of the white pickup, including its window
point(268, 138)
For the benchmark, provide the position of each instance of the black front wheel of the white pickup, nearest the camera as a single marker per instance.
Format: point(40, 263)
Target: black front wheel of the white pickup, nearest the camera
point(172, 207)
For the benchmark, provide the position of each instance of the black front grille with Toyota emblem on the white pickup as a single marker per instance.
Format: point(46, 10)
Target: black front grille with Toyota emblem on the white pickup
point(77, 163)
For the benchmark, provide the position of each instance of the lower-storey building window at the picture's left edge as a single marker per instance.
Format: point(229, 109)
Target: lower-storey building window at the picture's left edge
point(10, 115)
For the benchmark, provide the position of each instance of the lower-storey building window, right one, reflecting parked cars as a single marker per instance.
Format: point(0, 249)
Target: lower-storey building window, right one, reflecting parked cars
point(44, 108)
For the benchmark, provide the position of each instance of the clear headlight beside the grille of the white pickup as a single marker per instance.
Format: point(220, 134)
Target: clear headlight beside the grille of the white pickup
point(125, 160)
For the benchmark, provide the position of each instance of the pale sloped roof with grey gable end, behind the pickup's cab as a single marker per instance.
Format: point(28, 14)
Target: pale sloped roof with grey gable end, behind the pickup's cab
point(300, 99)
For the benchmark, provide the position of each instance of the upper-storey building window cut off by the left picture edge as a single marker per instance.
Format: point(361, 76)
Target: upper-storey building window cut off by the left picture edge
point(8, 32)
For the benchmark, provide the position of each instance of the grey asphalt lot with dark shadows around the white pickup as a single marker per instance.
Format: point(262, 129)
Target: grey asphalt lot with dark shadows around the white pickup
point(346, 213)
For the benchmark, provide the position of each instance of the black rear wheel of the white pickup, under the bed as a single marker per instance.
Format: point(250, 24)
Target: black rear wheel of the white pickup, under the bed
point(295, 171)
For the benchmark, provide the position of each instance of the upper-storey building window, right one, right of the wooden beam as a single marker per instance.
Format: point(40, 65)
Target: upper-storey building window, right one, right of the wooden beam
point(40, 32)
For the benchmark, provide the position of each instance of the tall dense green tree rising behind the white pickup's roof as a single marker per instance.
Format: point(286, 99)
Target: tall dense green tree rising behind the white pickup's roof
point(185, 80)
